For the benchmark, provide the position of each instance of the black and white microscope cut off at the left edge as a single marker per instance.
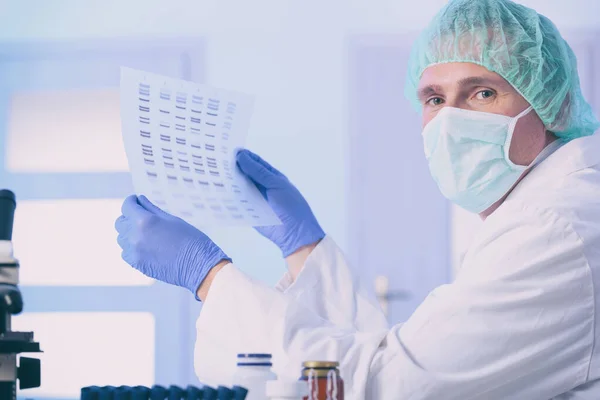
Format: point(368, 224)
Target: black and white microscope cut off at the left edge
point(27, 372)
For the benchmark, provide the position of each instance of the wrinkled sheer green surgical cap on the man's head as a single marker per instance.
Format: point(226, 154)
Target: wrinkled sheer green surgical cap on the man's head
point(517, 43)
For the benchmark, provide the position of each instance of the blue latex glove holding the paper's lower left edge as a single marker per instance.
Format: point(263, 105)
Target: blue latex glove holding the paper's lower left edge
point(163, 246)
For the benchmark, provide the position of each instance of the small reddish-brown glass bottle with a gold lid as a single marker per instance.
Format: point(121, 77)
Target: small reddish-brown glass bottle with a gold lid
point(324, 380)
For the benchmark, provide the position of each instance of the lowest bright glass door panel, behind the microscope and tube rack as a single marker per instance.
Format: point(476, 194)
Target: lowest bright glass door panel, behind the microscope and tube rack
point(84, 349)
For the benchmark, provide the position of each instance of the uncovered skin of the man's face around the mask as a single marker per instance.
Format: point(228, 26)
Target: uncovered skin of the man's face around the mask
point(473, 87)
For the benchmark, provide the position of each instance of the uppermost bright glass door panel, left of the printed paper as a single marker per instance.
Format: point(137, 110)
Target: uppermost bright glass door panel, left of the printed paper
point(65, 131)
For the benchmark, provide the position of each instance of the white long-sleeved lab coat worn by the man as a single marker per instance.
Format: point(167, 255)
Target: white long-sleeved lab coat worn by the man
point(518, 322)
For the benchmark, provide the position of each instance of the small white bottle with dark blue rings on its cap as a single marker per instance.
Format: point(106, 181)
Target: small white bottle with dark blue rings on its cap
point(252, 372)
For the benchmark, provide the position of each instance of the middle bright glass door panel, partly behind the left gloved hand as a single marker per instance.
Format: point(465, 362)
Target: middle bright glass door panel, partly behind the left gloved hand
point(71, 243)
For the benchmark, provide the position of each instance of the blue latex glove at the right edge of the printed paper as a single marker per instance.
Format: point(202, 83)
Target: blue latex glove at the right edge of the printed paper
point(299, 226)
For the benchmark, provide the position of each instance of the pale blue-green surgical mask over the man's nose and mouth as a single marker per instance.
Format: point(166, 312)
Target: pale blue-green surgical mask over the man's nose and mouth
point(467, 152)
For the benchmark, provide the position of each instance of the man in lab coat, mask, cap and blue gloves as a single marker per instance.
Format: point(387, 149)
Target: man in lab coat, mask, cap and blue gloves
point(508, 135)
